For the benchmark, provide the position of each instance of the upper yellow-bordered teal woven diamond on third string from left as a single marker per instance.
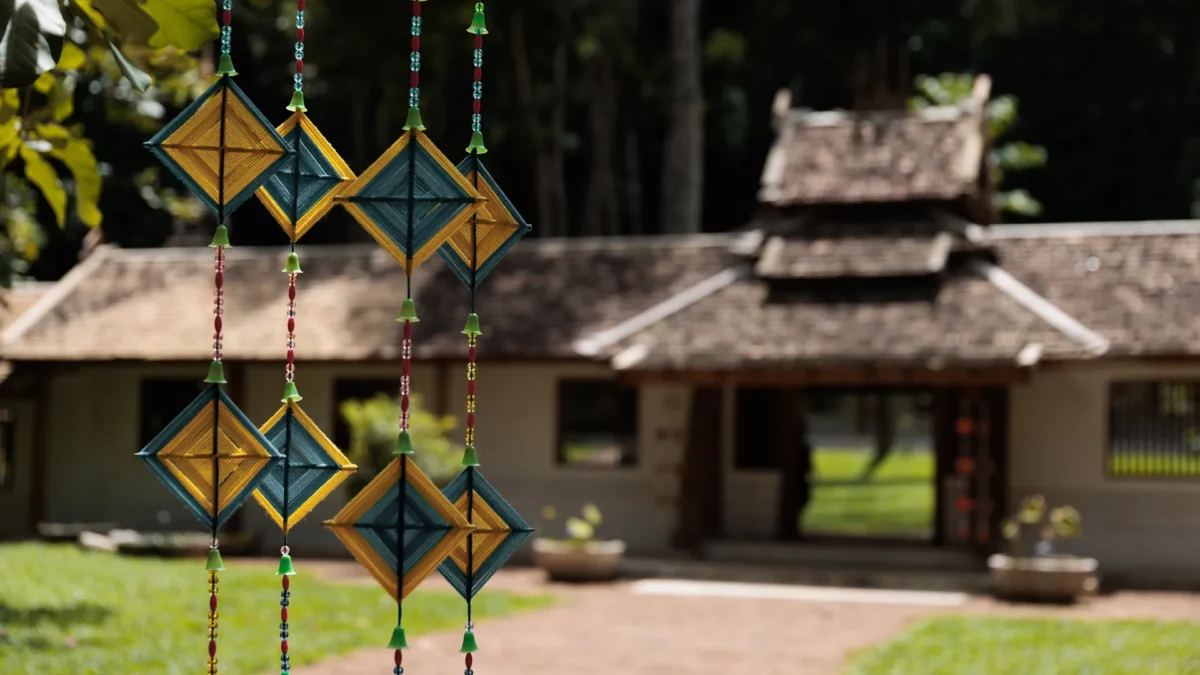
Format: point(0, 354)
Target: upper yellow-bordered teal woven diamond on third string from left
point(412, 200)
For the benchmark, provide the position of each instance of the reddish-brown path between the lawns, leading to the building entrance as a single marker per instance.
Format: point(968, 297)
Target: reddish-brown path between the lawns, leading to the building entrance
point(613, 629)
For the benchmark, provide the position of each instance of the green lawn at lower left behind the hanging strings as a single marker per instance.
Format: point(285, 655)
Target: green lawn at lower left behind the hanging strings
point(67, 612)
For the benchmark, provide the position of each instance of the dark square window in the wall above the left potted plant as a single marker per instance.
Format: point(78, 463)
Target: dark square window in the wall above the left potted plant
point(597, 425)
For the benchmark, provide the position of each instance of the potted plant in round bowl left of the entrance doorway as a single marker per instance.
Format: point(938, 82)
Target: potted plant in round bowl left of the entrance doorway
point(580, 557)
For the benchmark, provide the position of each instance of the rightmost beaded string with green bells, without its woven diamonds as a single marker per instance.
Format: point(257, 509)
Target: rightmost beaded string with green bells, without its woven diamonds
point(471, 458)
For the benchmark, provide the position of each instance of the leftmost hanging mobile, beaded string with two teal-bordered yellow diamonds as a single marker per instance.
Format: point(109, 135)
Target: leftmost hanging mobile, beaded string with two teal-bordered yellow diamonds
point(212, 457)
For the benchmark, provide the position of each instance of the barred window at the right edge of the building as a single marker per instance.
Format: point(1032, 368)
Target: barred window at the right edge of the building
point(1154, 431)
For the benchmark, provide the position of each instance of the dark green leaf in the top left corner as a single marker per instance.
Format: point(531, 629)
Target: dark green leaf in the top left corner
point(34, 33)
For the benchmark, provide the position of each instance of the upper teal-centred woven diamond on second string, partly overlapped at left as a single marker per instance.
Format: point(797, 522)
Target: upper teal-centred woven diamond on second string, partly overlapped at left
point(303, 192)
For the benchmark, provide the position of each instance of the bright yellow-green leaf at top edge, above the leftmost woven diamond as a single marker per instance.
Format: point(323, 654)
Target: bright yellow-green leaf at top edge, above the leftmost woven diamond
point(187, 25)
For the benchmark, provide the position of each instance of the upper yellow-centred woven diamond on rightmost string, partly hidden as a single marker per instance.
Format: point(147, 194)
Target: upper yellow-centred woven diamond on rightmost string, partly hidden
point(497, 228)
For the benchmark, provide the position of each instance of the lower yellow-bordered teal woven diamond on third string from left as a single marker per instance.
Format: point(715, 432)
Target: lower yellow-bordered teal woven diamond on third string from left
point(371, 528)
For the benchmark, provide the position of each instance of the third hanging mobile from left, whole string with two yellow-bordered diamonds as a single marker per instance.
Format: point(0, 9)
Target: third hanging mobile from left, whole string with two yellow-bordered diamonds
point(411, 201)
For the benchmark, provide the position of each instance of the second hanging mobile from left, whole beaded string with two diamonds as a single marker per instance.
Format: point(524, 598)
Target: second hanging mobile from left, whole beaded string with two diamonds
point(299, 195)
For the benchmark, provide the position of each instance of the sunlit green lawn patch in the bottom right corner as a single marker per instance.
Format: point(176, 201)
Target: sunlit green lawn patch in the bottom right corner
point(955, 646)
